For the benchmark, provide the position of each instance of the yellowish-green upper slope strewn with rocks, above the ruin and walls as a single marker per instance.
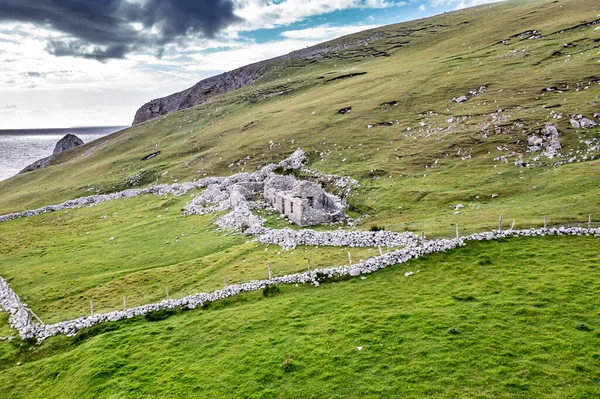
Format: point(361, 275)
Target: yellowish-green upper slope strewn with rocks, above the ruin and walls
point(454, 53)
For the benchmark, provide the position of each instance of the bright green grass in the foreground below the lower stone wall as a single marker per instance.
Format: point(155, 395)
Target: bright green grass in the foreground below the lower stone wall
point(515, 305)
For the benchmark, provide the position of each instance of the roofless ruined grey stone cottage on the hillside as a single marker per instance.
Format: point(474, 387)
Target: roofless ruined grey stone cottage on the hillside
point(303, 202)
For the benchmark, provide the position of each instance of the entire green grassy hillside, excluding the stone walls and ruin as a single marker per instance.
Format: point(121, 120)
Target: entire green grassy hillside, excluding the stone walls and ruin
point(518, 305)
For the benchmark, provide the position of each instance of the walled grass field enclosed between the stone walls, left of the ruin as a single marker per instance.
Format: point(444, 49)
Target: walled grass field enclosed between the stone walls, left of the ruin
point(58, 262)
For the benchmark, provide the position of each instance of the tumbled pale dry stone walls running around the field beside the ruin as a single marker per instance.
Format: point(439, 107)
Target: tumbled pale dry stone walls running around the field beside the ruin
point(233, 193)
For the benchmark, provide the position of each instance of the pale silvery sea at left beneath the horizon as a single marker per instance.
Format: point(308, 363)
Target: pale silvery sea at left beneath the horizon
point(19, 148)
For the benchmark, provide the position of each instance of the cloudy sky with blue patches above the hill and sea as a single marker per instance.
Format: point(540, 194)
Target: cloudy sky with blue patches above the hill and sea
point(71, 63)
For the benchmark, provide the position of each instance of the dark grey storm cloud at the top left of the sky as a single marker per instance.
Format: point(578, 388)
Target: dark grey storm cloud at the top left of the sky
point(101, 29)
